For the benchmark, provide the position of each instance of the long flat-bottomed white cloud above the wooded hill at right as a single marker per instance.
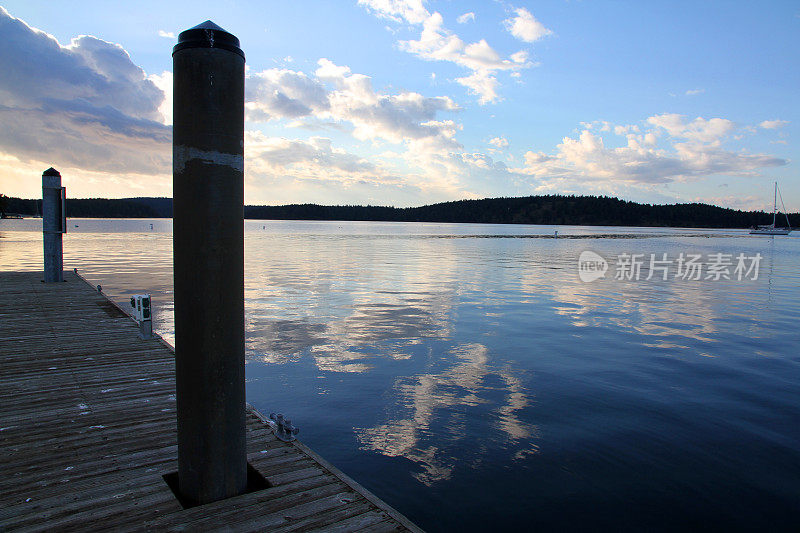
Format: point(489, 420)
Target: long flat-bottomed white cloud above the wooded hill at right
point(695, 149)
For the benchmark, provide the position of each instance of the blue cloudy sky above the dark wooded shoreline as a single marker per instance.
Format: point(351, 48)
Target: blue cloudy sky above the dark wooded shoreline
point(411, 102)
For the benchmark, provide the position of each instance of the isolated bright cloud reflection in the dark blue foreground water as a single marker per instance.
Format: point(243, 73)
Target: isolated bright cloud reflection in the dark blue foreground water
point(438, 408)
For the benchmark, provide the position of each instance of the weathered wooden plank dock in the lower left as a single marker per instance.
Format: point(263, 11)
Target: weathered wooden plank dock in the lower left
point(88, 430)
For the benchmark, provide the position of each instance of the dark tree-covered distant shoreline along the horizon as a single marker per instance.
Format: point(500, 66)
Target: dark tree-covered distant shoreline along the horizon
point(534, 210)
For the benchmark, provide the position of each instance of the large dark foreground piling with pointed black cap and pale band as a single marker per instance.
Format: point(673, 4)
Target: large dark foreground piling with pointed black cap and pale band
point(208, 247)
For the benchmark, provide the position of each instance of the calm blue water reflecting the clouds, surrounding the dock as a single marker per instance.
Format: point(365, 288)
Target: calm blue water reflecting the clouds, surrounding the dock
point(466, 375)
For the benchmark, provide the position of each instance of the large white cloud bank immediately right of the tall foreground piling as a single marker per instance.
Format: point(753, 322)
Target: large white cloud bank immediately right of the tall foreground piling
point(421, 161)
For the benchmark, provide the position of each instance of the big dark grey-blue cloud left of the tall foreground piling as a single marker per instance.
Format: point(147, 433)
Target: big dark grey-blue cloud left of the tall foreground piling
point(85, 105)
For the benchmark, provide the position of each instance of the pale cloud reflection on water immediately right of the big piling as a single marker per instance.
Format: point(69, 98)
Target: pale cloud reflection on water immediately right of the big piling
point(333, 304)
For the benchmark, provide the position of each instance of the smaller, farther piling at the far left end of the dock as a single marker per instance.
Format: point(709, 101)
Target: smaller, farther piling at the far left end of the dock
point(54, 225)
